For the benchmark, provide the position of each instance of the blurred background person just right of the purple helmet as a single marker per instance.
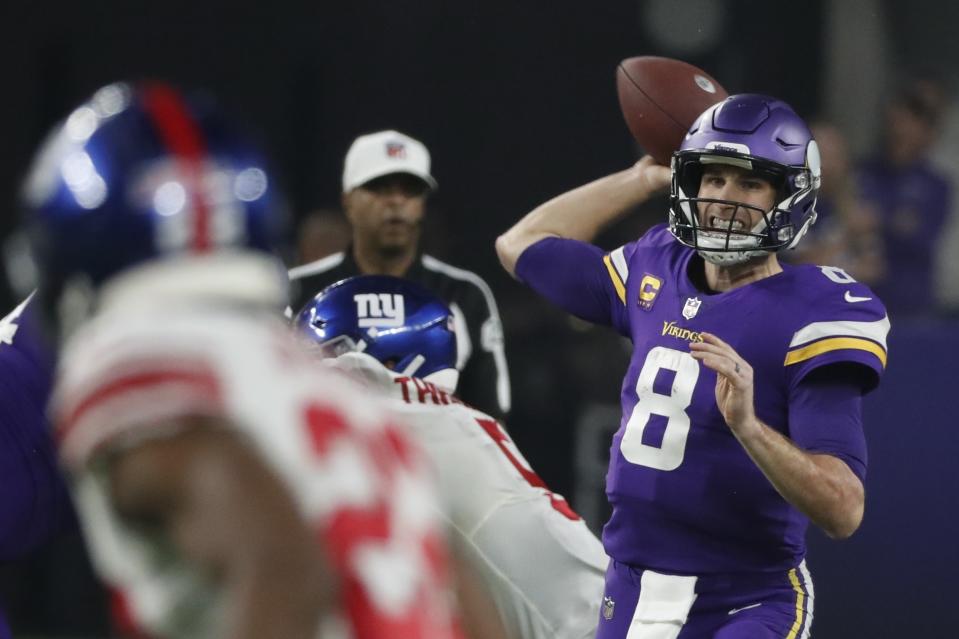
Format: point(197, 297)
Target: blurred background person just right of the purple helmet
point(846, 232)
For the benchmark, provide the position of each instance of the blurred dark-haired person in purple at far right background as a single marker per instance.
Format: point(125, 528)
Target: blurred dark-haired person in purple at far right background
point(911, 198)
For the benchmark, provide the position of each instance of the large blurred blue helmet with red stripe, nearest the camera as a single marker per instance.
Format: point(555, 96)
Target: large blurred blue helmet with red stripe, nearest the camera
point(141, 174)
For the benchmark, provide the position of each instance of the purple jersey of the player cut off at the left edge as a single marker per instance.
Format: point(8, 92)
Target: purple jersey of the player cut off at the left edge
point(33, 501)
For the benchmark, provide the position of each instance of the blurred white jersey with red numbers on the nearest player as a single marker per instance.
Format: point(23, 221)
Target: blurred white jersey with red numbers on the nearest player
point(352, 473)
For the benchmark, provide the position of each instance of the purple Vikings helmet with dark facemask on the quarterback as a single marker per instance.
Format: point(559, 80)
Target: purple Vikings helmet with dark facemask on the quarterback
point(761, 134)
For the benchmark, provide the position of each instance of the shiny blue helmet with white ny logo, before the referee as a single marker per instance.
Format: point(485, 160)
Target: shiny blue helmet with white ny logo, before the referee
point(396, 321)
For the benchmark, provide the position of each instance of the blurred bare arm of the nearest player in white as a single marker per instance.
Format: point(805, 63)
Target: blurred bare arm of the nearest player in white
point(219, 504)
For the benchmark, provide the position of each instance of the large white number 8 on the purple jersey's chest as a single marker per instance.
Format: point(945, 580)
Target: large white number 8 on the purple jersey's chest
point(673, 407)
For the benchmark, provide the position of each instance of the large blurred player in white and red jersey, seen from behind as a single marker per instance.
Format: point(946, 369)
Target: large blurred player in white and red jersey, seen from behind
point(227, 487)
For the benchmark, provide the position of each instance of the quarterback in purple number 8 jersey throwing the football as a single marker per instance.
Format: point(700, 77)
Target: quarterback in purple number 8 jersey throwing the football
point(742, 401)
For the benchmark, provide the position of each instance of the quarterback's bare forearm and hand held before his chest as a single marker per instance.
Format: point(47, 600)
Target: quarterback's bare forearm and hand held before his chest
point(821, 485)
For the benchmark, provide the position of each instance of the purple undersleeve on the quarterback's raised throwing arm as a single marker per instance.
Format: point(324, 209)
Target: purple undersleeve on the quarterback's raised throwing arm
point(572, 275)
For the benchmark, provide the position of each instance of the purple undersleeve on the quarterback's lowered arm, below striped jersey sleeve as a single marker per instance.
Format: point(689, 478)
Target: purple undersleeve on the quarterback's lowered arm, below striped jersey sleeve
point(825, 416)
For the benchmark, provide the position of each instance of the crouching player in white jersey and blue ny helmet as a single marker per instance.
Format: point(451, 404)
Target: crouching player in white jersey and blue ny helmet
point(537, 558)
